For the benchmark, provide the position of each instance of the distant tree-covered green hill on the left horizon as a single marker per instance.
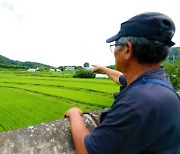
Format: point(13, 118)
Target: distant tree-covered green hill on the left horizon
point(8, 63)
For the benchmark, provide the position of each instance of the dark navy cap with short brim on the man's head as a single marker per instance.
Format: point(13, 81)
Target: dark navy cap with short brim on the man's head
point(151, 25)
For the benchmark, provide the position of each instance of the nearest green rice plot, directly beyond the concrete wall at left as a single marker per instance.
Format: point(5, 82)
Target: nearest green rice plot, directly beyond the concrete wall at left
point(19, 109)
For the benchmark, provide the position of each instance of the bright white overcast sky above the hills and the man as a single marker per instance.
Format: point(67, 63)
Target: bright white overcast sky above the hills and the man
point(70, 32)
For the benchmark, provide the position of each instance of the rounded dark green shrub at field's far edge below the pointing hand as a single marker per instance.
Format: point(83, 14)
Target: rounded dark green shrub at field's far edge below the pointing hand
point(82, 73)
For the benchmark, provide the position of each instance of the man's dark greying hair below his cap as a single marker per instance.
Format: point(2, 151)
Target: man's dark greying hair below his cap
point(145, 50)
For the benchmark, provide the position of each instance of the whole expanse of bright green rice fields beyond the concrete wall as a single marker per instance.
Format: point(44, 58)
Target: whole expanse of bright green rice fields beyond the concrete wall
point(30, 98)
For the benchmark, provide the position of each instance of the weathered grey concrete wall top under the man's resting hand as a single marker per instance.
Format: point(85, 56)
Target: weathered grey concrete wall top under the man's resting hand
point(54, 137)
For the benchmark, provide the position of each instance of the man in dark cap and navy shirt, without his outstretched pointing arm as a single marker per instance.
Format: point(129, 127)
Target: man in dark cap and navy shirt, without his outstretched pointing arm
point(145, 116)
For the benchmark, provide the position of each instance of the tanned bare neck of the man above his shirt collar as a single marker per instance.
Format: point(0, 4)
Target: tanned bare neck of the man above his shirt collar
point(136, 70)
